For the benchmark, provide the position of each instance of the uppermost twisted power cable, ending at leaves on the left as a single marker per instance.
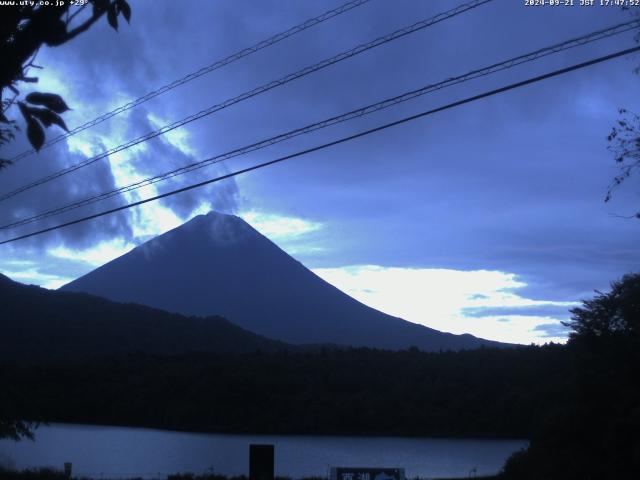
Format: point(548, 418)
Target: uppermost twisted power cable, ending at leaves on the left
point(203, 71)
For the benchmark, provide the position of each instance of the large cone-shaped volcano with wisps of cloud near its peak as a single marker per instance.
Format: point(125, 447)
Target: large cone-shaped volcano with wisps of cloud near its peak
point(217, 264)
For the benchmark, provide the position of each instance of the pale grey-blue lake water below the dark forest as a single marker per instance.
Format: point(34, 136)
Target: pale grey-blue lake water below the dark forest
point(116, 452)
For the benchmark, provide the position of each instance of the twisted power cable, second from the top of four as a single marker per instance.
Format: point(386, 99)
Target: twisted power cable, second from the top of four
point(257, 91)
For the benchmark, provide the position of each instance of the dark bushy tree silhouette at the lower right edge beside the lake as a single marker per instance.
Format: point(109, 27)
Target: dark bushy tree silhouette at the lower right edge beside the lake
point(593, 431)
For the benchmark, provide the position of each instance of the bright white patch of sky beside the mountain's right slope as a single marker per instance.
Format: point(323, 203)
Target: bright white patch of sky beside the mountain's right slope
point(436, 298)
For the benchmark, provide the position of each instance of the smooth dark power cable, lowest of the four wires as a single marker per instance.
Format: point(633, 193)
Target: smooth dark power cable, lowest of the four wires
point(497, 91)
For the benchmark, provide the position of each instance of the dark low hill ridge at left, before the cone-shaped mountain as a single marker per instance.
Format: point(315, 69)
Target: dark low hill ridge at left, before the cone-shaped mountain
point(41, 324)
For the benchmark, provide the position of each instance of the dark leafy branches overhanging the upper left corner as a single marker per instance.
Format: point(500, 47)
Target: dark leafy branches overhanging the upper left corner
point(23, 30)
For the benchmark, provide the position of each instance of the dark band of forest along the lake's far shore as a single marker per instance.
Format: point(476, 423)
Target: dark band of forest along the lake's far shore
point(476, 393)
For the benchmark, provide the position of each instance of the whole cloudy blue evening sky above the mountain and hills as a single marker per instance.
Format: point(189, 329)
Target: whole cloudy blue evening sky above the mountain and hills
point(488, 218)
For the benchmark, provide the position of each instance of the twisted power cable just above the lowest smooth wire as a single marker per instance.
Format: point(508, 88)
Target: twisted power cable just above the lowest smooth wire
point(512, 62)
